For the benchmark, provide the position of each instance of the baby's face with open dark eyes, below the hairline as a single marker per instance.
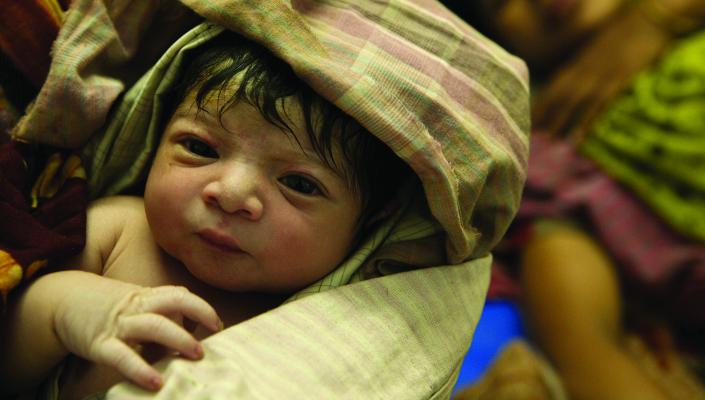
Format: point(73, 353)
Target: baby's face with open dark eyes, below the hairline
point(242, 206)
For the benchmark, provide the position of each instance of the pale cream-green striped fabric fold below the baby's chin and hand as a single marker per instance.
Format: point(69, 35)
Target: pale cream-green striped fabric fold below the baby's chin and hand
point(399, 337)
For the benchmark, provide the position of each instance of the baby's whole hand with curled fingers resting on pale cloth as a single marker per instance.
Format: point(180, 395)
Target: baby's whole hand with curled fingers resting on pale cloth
point(105, 320)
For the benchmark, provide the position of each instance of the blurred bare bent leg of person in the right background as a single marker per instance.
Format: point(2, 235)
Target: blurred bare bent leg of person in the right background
point(574, 308)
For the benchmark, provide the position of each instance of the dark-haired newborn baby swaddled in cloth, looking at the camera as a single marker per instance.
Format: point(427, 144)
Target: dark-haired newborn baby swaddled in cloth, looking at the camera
point(259, 187)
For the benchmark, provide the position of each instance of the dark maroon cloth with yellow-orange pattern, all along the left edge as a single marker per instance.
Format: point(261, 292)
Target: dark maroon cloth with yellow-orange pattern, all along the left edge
point(33, 232)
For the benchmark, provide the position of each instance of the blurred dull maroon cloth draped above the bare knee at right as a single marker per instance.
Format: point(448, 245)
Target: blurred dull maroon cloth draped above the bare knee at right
point(653, 260)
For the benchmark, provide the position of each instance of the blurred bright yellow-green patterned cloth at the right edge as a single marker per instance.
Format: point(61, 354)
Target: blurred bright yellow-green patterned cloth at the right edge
point(652, 138)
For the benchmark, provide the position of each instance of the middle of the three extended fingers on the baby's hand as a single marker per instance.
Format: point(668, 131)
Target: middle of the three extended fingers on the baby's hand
point(161, 330)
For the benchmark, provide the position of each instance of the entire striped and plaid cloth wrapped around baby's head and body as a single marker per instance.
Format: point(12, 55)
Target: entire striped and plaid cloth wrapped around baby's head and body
point(448, 101)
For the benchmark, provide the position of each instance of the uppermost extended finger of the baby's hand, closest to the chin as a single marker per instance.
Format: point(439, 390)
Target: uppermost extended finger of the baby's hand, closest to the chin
point(176, 299)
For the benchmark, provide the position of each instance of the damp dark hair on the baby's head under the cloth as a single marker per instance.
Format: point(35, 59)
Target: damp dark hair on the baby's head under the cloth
point(371, 169)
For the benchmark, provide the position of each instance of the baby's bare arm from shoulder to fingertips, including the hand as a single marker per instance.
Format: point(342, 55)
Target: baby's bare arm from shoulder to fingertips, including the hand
point(95, 317)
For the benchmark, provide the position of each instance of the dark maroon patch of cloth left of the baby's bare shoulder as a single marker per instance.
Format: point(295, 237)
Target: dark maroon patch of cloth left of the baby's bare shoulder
point(54, 228)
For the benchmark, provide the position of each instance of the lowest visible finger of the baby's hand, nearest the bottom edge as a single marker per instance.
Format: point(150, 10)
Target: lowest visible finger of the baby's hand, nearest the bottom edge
point(120, 356)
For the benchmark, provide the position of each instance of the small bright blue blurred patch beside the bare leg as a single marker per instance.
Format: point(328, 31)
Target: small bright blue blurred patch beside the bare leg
point(499, 324)
